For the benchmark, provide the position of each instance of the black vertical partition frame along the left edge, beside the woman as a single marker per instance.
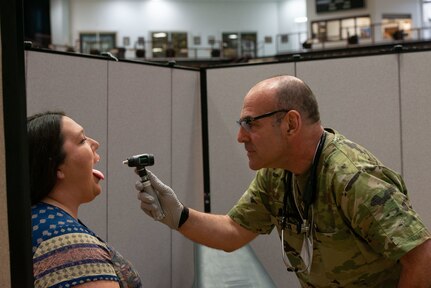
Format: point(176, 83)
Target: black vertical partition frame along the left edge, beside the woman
point(15, 135)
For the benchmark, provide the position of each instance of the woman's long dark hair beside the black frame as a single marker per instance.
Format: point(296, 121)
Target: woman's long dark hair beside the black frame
point(45, 144)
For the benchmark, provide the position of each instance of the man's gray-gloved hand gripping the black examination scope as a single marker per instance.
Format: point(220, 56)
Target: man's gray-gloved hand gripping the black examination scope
point(175, 212)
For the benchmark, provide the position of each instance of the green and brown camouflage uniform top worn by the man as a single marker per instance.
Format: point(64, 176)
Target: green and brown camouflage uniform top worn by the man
point(363, 220)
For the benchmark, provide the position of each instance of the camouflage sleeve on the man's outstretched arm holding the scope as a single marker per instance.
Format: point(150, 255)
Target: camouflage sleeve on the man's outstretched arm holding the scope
point(250, 211)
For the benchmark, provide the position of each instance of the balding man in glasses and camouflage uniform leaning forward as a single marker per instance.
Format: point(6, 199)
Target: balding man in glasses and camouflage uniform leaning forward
point(359, 229)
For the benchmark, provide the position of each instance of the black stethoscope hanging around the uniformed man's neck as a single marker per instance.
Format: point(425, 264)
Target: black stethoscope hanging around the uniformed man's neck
point(305, 225)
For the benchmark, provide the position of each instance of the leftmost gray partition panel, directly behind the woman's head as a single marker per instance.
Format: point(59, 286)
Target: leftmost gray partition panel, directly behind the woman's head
point(79, 87)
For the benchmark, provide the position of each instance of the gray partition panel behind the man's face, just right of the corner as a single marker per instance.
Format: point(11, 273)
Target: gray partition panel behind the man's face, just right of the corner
point(229, 172)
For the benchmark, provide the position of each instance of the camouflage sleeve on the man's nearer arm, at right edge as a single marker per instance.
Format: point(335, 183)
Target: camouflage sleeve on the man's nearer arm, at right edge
point(375, 202)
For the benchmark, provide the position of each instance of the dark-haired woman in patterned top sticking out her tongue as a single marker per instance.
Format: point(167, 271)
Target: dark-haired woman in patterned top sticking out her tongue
point(66, 253)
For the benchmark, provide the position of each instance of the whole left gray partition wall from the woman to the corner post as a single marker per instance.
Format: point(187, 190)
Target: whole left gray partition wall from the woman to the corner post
point(130, 108)
